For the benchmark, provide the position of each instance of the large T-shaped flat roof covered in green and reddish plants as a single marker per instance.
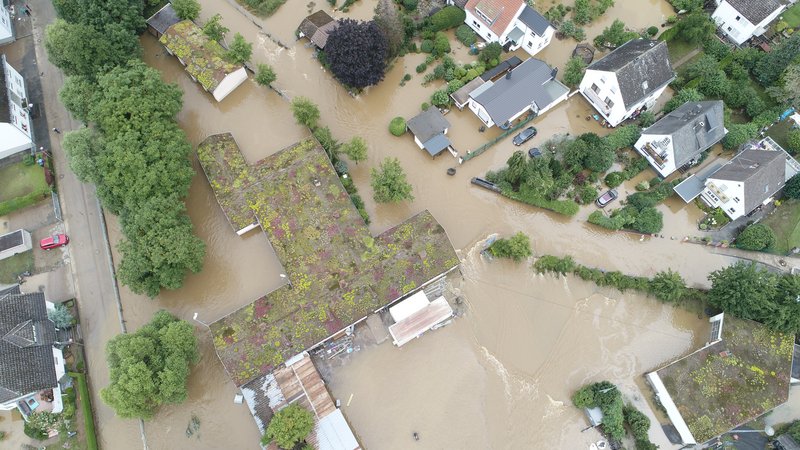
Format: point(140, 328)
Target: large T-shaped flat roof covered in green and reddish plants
point(338, 272)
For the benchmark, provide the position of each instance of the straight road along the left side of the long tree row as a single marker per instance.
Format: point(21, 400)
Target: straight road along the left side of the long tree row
point(91, 272)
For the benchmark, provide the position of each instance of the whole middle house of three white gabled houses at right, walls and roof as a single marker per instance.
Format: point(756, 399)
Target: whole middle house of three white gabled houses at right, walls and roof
point(682, 135)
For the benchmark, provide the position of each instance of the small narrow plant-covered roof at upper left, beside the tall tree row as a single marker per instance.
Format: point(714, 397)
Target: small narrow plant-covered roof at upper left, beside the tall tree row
point(204, 57)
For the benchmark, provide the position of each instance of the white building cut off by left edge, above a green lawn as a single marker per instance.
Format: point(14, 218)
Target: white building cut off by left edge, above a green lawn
point(15, 123)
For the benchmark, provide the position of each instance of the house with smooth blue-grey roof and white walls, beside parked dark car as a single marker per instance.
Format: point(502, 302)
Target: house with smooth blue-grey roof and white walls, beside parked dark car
point(530, 87)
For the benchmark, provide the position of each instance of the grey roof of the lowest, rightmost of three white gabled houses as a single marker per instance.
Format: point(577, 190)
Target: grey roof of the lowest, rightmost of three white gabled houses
point(762, 172)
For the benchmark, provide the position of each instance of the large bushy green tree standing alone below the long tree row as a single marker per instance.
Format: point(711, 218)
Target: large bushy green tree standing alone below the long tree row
point(150, 367)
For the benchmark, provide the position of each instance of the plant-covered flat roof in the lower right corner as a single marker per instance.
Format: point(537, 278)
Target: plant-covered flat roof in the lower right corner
point(732, 381)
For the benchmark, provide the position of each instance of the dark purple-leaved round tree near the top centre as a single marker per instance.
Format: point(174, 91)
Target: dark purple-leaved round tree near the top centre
point(356, 52)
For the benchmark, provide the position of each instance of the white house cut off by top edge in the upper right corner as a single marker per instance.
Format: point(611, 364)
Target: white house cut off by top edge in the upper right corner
point(742, 19)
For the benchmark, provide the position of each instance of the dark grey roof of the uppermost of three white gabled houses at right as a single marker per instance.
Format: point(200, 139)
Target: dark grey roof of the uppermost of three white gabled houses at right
point(641, 66)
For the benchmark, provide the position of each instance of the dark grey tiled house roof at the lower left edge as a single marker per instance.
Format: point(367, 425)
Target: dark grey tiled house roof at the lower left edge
point(26, 341)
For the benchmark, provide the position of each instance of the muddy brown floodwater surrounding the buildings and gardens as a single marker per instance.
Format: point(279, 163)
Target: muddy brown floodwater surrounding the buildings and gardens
point(501, 376)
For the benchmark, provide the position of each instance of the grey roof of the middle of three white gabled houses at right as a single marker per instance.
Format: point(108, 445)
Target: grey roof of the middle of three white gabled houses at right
point(694, 127)
